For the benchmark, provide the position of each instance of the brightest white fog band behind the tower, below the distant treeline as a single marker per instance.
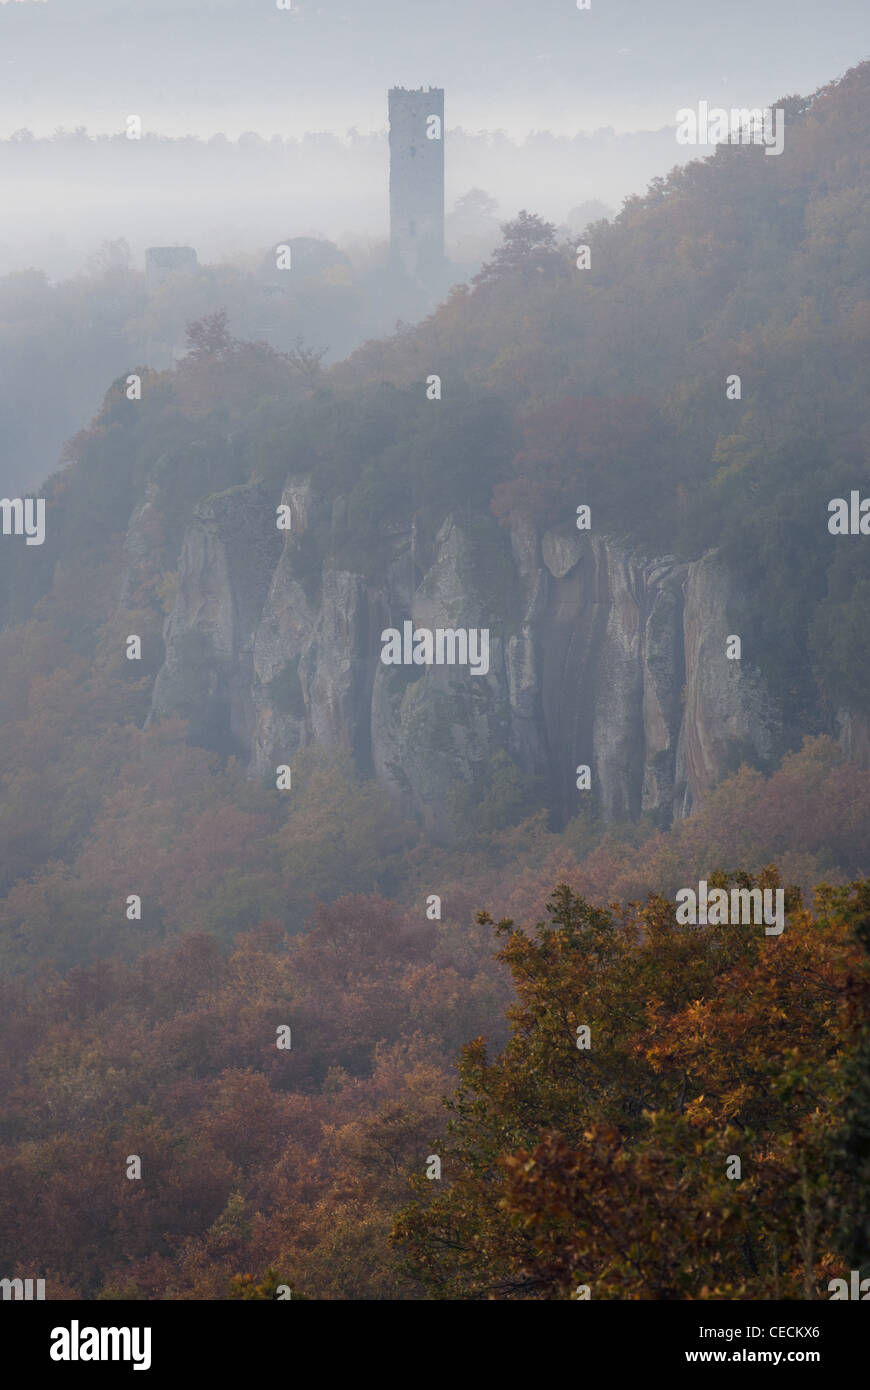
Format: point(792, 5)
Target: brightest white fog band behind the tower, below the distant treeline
point(69, 194)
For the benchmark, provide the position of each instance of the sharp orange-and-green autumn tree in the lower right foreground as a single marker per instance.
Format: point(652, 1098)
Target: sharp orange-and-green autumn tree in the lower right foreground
point(661, 1124)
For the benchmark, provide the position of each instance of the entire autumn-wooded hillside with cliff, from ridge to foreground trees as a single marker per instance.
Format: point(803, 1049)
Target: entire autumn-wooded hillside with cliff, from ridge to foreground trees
point(312, 908)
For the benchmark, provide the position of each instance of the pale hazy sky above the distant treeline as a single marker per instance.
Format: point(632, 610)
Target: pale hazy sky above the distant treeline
point(206, 66)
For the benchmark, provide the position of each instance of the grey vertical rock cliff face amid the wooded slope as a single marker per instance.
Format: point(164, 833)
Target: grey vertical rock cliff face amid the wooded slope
point(598, 657)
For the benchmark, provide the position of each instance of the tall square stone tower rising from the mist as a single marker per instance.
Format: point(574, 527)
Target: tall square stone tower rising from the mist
point(418, 180)
